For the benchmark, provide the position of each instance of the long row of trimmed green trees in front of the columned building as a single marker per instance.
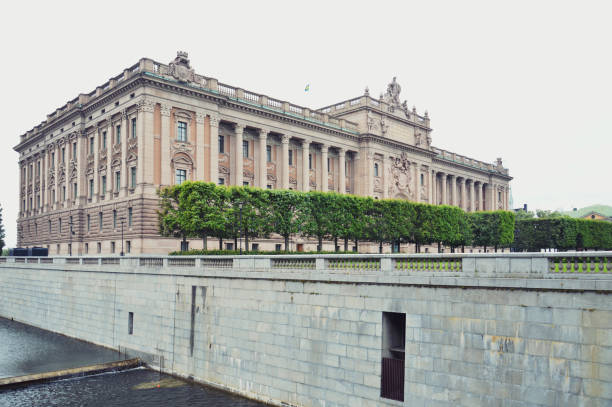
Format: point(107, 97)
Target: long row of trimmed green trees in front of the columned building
point(198, 209)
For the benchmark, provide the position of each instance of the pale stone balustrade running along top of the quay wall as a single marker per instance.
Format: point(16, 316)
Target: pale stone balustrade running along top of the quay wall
point(489, 264)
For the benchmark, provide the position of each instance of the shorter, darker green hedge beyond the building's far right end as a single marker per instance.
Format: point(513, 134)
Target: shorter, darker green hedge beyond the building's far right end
point(562, 233)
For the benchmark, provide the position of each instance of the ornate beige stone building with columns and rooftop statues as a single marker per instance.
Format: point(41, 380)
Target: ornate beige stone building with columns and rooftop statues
point(92, 169)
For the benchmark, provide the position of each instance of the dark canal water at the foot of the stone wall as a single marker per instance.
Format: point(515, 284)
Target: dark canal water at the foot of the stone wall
point(26, 350)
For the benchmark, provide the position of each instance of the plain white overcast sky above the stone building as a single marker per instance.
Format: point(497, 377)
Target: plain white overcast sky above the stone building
point(529, 81)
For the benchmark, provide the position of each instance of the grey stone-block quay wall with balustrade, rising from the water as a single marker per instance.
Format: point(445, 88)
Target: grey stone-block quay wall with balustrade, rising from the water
point(480, 329)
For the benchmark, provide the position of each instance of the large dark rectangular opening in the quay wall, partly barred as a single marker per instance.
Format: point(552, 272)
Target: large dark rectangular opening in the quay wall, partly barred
point(393, 355)
